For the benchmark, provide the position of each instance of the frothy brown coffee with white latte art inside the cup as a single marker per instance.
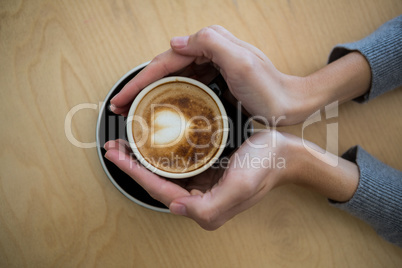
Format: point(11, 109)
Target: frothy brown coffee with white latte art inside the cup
point(177, 127)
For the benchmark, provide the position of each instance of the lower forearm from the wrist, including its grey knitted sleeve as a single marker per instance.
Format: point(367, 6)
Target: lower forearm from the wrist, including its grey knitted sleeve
point(358, 184)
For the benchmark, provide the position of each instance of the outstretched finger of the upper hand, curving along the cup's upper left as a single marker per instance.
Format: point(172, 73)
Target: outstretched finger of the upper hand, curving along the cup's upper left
point(162, 65)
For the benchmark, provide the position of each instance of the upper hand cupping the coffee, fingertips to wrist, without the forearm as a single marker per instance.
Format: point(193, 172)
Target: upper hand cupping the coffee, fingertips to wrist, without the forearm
point(252, 78)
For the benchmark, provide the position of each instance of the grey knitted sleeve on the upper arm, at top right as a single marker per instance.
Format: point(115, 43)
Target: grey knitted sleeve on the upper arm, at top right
point(383, 51)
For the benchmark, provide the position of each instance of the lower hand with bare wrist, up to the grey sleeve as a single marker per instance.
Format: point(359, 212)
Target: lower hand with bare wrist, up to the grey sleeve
point(265, 161)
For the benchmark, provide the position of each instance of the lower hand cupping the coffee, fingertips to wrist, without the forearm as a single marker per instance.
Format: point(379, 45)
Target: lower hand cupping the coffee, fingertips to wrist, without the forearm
point(217, 195)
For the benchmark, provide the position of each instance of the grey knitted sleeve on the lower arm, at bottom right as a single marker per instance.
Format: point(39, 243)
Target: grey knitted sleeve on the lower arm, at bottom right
point(378, 198)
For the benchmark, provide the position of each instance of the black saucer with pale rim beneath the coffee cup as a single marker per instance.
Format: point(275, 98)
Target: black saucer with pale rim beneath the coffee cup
point(111, 126)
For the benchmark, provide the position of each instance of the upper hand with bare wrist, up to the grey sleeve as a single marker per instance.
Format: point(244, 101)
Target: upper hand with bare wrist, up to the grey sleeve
point(276, 98)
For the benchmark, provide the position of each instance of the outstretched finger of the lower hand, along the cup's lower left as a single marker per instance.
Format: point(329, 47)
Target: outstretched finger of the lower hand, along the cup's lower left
point(159, 188)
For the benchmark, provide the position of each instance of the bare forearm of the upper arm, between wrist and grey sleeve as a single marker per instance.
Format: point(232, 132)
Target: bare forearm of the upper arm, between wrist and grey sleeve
point(342, 80)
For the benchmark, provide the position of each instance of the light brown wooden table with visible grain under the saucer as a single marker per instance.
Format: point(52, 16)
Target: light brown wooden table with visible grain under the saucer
point(58, 208)
